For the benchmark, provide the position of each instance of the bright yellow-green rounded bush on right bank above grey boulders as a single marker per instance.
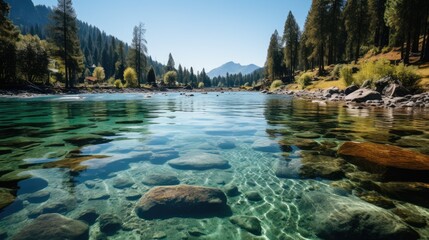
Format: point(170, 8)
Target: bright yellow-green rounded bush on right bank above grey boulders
point(374, 71)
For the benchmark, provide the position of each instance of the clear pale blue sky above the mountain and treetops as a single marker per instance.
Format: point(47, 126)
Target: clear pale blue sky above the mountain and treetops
point(198, 33)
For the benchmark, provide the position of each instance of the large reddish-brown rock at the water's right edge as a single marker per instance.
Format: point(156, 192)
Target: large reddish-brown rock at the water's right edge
point(394, 163)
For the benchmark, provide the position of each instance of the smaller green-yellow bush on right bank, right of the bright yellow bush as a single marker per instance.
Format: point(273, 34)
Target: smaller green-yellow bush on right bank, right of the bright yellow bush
point(408, 76)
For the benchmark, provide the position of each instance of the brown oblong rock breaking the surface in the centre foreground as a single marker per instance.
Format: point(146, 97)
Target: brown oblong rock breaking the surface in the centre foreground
point(182, 200)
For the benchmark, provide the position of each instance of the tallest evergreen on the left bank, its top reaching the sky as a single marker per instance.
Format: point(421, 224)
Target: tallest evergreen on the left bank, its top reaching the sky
point(63, 33)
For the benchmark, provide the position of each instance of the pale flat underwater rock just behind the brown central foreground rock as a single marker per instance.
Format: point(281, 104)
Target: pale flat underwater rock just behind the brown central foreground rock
point(201, 161)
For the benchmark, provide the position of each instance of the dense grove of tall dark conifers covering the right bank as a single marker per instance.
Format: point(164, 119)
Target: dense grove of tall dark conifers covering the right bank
point(340, 31)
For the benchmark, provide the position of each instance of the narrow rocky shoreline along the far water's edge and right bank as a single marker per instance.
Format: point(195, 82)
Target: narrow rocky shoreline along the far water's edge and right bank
point(367, 97)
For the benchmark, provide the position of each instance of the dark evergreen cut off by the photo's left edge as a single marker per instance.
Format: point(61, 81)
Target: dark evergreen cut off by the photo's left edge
point(8, 37)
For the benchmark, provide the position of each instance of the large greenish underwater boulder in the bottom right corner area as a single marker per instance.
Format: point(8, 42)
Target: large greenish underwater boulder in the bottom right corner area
point(345, 218)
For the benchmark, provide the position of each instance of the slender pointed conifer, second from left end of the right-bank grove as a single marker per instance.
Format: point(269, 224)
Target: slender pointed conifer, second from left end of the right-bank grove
point(291, 39)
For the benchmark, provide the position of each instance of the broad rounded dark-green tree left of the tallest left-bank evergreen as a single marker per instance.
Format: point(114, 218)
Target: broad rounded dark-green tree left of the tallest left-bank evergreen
point(32, 59)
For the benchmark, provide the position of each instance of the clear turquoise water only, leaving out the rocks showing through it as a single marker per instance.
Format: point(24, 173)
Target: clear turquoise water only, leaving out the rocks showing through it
point(124, 132)
